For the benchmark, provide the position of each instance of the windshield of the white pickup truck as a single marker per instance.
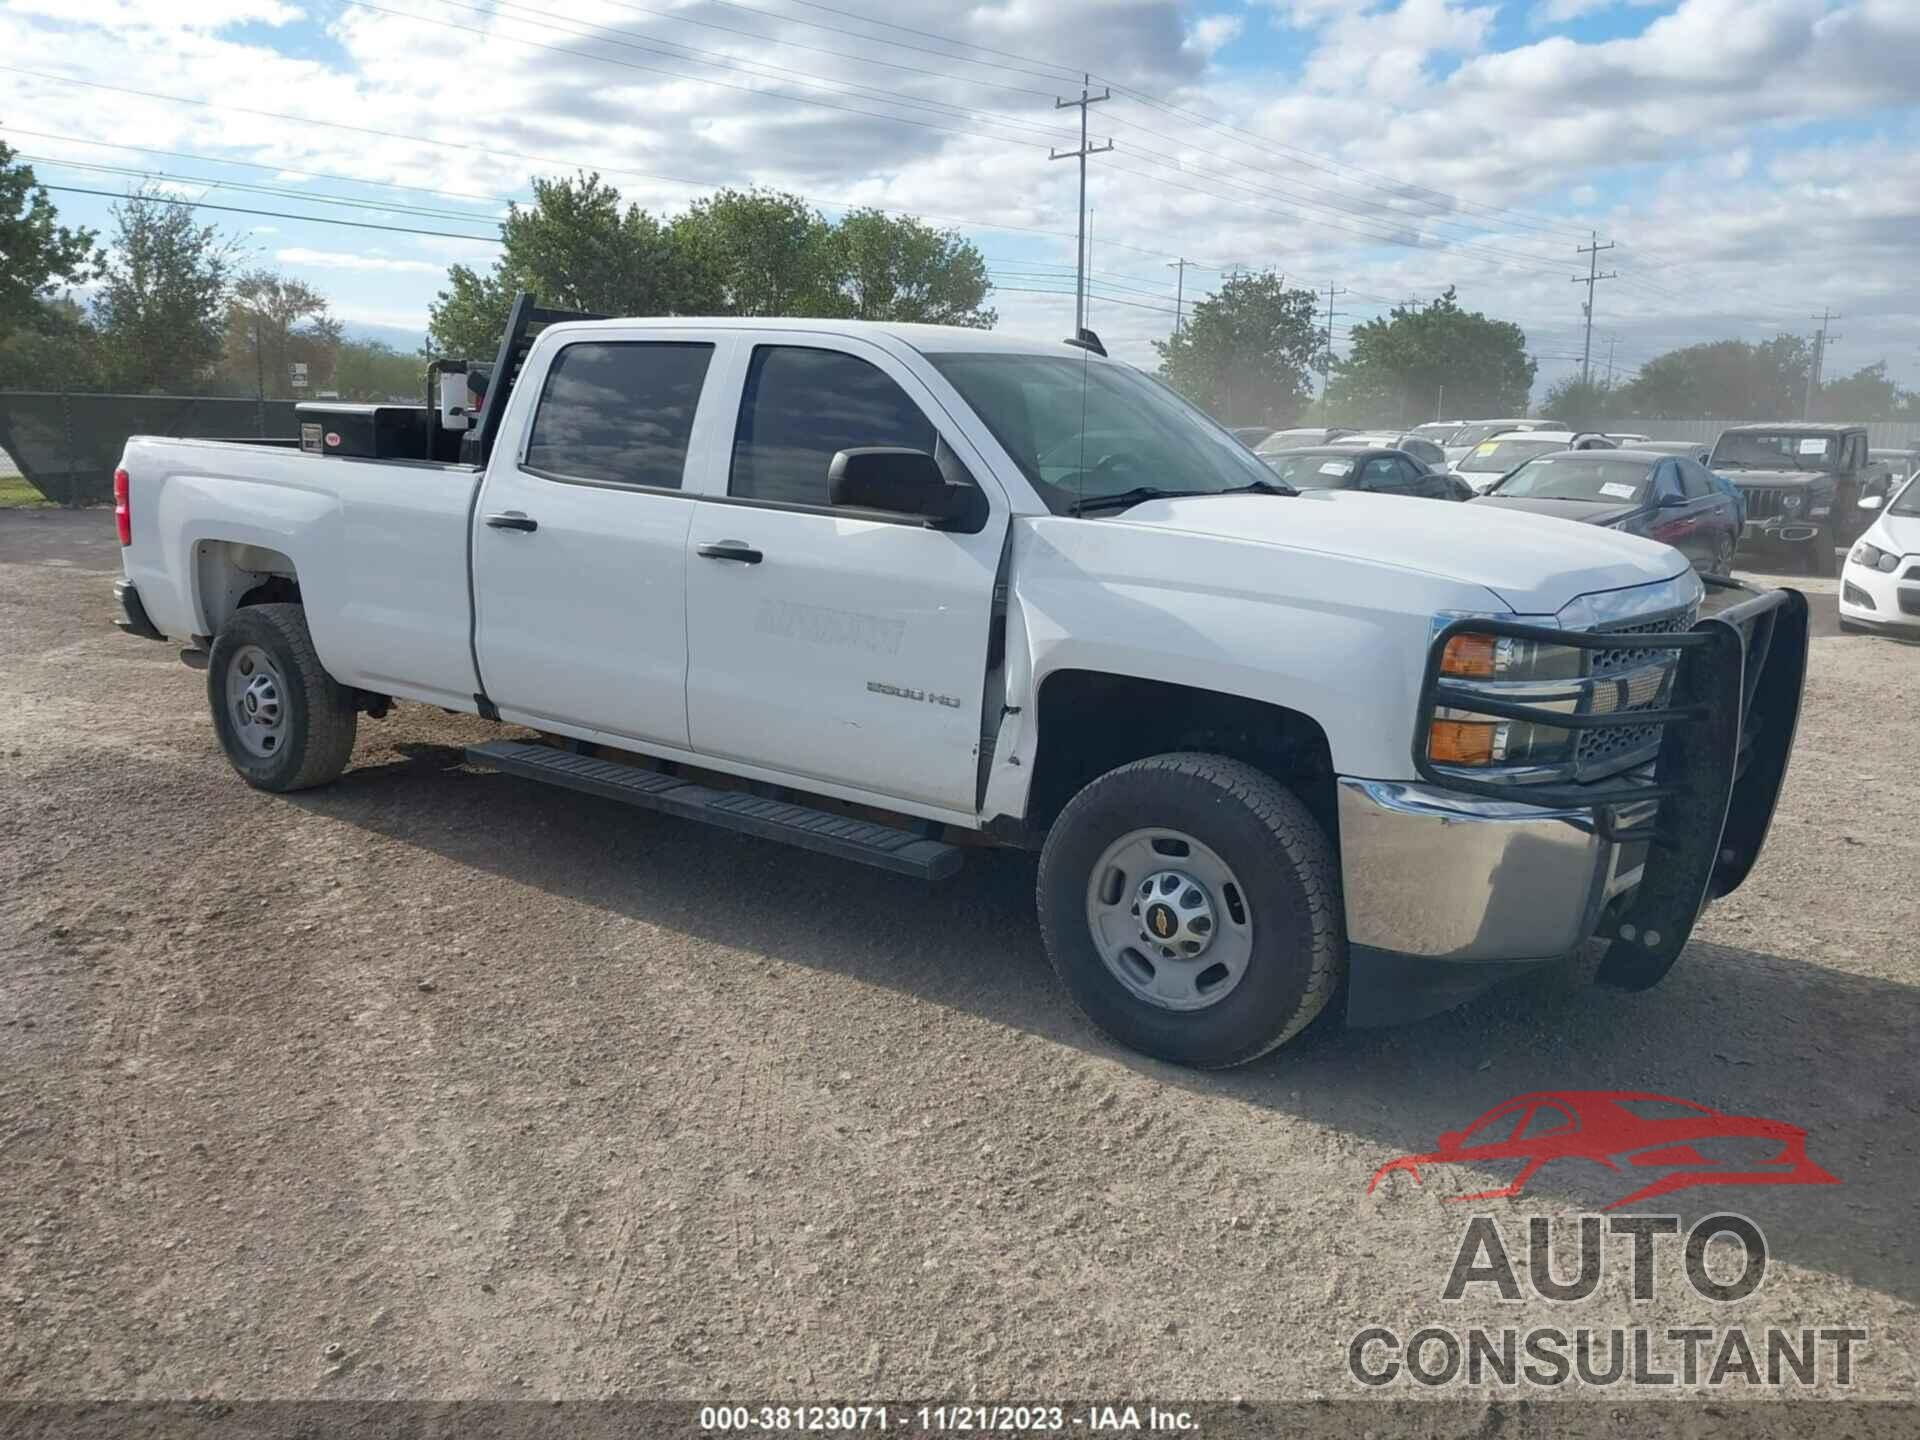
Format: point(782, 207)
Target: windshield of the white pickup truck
point(1082, 427)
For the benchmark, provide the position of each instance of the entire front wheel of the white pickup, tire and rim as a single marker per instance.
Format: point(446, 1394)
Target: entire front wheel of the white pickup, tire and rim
point(1191, 907)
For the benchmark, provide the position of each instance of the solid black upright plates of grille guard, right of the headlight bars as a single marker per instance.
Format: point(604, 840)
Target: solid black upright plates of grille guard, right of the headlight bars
point(1727, 771)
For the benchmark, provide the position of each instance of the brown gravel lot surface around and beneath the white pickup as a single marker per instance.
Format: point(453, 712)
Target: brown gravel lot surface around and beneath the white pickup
point(441, 1084)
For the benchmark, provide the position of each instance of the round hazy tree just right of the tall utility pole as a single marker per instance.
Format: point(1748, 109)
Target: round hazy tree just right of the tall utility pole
point(1243, 354)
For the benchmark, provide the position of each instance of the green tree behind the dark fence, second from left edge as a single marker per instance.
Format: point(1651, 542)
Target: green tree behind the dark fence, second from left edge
point(162, 302)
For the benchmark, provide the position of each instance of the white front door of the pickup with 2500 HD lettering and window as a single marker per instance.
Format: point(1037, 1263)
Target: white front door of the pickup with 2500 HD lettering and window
point(825, 644)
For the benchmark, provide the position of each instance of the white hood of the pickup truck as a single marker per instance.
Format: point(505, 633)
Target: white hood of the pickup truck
point(1533, 564)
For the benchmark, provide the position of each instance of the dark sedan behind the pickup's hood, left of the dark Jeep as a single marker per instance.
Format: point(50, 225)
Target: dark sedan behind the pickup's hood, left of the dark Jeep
point(1666, 498)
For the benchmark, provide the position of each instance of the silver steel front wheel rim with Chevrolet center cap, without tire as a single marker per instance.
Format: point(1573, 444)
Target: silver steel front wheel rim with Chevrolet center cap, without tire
point(1170, 921)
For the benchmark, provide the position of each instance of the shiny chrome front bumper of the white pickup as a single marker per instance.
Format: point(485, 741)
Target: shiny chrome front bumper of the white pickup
point(1447, 876)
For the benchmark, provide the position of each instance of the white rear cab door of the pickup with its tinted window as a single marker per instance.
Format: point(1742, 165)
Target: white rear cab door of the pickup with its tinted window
point(581, 540)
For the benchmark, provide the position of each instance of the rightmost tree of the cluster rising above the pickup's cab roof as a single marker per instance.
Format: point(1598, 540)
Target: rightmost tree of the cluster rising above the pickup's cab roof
point(901, 270)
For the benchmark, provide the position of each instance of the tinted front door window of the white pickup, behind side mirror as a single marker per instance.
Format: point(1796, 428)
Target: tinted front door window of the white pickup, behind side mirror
point(800, 408)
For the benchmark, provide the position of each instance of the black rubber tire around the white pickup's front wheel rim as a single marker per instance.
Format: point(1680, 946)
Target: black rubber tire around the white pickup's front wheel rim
point(1280, 857)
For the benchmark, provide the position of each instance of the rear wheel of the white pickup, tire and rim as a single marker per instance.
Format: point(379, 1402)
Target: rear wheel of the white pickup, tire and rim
point(283, 721)
